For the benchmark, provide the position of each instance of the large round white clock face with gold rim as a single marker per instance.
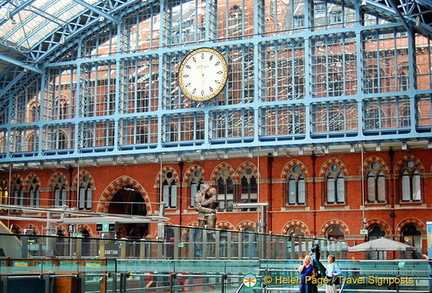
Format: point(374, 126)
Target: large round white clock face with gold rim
point(203, 74)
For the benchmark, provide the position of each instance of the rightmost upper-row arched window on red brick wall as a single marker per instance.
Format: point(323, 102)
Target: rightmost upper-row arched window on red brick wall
point(410, 183)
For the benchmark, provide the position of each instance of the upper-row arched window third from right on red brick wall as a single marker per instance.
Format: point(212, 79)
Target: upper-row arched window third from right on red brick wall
point(335, 185)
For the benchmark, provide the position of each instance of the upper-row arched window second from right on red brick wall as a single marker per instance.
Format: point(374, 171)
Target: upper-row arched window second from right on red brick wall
point(376, 187)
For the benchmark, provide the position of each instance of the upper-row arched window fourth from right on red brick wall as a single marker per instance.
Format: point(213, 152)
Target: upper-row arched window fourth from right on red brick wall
point(295, 187)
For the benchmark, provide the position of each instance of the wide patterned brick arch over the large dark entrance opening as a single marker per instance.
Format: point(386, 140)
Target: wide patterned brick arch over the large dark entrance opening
point(117, 184)
